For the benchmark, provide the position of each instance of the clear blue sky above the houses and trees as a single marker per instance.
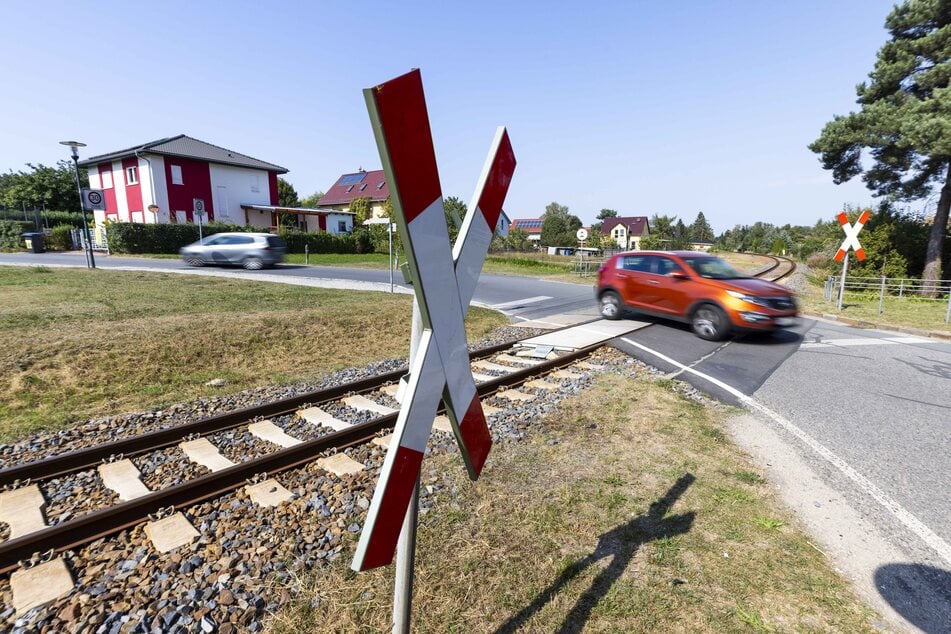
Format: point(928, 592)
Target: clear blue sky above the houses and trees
point(642, 107)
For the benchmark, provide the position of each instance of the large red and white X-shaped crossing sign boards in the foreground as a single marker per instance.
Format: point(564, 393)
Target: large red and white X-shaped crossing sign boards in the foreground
point(444, 281)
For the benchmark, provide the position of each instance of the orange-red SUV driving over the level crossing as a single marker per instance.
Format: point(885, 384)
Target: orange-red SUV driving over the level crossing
point(693, 287)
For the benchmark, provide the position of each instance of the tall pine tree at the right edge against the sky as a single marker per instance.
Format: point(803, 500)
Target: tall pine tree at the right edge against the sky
point(904, 120)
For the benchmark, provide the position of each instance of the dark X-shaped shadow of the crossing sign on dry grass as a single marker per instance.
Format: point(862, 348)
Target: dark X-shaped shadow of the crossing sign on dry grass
point(620, 543)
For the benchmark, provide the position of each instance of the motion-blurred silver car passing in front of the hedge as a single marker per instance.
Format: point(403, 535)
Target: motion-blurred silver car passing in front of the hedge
point(253, 251)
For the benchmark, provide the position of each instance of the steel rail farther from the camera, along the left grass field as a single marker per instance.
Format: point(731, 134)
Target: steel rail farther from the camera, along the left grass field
point(89, 457)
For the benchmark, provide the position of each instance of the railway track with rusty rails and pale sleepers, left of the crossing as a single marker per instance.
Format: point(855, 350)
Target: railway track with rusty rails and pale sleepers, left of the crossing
point(350, 415)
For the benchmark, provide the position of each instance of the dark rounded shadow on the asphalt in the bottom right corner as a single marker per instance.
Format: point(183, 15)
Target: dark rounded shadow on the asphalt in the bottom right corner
point(921, 594)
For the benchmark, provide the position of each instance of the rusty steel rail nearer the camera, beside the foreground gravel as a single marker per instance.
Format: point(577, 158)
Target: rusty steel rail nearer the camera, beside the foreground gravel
point(88, 528)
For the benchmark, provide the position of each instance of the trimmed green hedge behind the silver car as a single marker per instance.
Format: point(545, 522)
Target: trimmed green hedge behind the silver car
point(134, 237)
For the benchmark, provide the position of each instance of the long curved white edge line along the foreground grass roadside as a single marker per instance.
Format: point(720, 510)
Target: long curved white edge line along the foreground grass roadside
point(891, 505)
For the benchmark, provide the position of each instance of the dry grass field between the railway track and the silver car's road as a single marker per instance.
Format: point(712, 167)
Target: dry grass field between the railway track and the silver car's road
point(80, 343)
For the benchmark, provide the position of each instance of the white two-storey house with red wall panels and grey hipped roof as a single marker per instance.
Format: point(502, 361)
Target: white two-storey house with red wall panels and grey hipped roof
point(158, 182)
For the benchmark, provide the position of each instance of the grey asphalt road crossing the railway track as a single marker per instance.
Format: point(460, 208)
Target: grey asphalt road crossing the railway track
point(869, 412)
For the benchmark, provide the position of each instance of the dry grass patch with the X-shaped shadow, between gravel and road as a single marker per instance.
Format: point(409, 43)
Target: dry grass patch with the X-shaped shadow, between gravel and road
point(630, 511)
